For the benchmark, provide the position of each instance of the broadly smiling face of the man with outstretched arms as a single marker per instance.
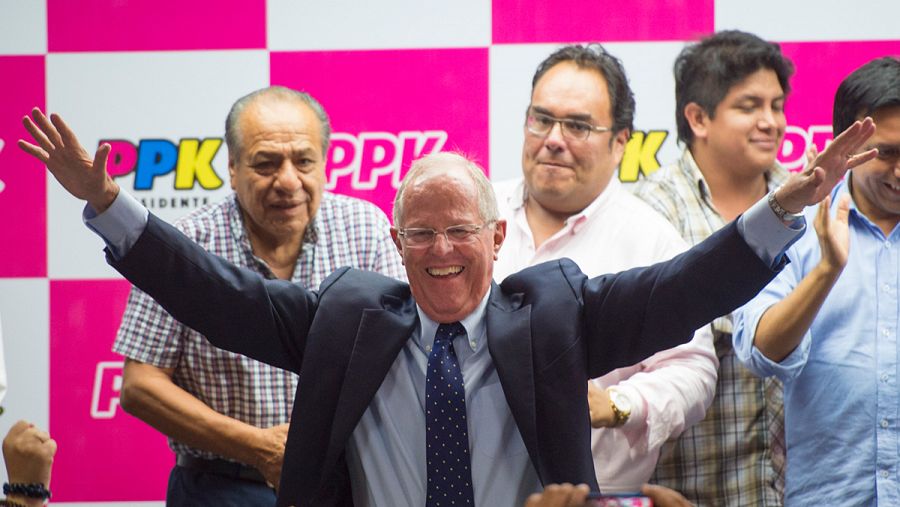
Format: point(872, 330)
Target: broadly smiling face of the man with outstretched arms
point(447, 279)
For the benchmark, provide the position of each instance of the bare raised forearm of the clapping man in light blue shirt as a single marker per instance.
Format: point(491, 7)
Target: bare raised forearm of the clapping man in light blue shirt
point(783, 325)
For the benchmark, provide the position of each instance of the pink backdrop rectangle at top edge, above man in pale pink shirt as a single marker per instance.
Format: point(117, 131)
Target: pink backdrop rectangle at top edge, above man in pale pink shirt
point(515, 21)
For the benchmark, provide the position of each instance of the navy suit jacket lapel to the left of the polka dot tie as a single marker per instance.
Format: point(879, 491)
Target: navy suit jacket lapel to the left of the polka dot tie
point(381, 335)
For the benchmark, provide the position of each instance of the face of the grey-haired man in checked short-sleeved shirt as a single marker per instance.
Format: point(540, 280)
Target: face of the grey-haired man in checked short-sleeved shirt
point(279, 170)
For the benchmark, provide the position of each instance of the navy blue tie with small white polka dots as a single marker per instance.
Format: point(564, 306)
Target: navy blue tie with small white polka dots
point(446, 431)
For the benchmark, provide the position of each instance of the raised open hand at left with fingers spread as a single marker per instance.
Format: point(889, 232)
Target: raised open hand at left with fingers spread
point(58, 148)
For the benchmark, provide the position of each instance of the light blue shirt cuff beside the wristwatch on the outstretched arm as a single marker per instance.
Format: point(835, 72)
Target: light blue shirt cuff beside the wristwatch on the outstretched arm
point(766, 234)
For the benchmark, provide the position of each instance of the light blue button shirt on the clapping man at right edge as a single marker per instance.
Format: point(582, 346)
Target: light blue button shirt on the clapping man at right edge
point(841, 398)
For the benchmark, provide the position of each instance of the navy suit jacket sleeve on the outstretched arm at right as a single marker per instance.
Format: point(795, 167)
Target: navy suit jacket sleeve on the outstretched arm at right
point(620, 319)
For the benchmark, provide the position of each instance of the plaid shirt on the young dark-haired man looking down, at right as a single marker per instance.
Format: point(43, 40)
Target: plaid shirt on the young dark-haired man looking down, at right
point(735, 456)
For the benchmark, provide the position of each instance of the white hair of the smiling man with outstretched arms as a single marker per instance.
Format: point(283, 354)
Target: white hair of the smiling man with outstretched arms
point(487, 201)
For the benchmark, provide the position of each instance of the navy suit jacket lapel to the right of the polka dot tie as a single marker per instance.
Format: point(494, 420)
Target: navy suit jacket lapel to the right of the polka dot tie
point(510, 343)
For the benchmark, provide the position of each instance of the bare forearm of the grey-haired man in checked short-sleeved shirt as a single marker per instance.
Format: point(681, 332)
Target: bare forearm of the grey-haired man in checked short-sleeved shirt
point(156, 400)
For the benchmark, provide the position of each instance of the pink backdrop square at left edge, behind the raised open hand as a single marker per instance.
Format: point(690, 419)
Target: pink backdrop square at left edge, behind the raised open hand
point(23, 183)
